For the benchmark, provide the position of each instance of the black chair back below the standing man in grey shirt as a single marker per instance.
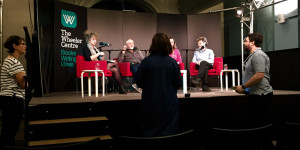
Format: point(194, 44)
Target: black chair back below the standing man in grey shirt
point(240, 139)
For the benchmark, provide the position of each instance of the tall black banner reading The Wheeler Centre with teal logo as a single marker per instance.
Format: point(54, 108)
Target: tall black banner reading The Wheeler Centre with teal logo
point(69, 24)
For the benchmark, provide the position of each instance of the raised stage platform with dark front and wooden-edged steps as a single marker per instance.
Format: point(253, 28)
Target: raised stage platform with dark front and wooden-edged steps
point(199, 112)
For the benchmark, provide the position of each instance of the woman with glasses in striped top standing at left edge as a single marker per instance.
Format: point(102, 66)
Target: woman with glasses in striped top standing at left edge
point(12, 94)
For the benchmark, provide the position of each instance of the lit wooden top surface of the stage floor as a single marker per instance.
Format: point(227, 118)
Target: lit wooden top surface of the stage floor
point(74, 97)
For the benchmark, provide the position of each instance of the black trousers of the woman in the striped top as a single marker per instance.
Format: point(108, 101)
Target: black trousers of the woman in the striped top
point(12, 113)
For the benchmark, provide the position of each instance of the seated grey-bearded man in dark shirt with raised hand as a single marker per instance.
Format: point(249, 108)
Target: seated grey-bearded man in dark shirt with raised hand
point(132, 55)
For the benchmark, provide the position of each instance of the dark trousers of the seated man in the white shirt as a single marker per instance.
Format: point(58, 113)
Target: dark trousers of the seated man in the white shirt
point(203, 71)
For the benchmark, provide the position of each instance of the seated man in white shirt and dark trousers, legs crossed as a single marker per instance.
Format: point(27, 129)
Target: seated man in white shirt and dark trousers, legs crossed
point(204, 60)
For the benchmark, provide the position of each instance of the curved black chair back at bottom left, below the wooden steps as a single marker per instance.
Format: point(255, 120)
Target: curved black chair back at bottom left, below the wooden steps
point(93, 144)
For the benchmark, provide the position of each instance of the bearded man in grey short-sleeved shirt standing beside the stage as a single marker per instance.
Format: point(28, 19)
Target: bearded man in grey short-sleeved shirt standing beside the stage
point(256, 80)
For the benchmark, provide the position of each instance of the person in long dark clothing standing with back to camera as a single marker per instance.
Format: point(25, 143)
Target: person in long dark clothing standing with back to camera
point(159, 77)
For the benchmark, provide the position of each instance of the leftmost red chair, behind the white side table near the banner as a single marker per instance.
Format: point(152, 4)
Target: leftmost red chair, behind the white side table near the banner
point(82, 64)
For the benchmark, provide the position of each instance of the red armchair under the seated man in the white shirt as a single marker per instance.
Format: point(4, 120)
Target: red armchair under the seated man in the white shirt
point(217, 67)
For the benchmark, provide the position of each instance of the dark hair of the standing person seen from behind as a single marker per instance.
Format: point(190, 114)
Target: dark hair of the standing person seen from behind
point(160, 44)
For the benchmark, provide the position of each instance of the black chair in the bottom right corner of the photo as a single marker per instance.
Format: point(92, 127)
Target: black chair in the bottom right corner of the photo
point(289, 139)
